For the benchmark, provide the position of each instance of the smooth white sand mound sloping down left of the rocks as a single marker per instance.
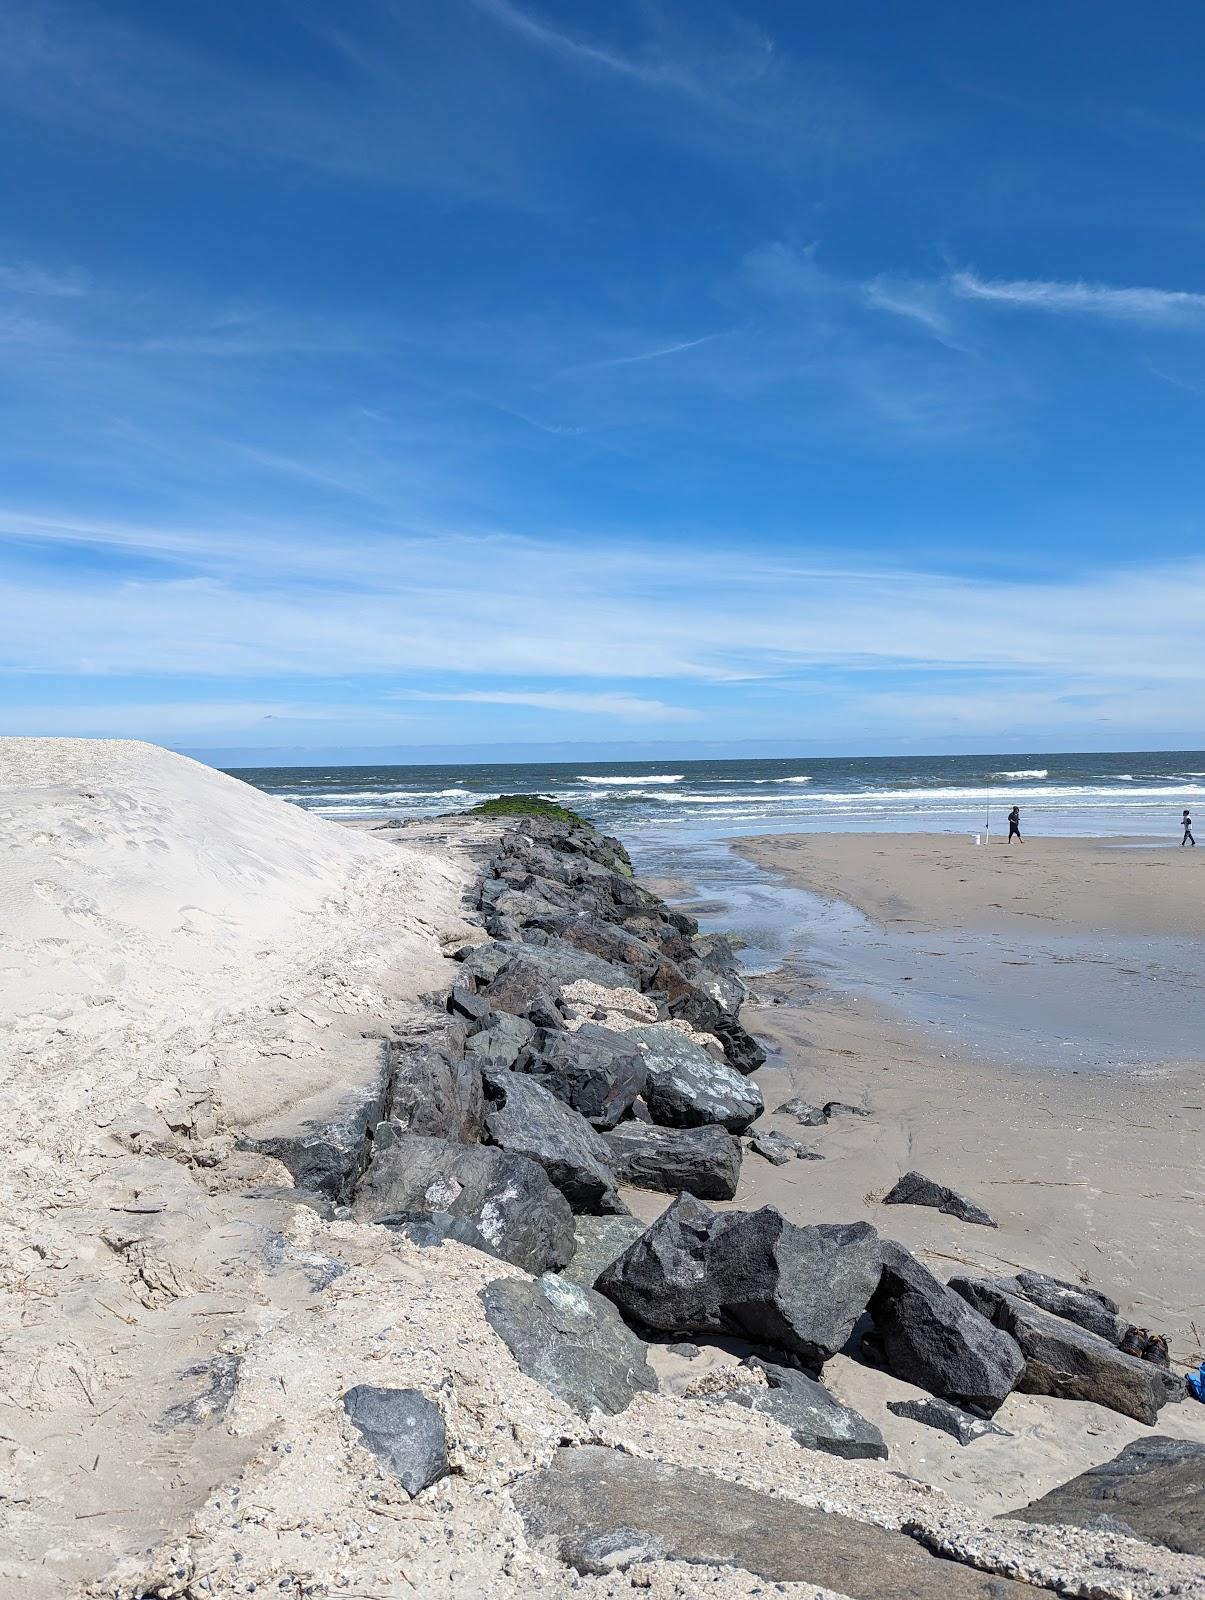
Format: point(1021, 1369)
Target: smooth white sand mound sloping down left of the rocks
point(177, 953)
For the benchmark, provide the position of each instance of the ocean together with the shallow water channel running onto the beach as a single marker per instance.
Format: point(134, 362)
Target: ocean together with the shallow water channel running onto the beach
point(1057, 1001)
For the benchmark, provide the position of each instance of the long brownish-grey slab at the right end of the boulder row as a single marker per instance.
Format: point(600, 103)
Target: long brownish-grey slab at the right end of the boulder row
point(1068, 1362)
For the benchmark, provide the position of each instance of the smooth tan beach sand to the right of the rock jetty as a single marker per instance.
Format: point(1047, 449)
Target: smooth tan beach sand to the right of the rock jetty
point(1092, 1175)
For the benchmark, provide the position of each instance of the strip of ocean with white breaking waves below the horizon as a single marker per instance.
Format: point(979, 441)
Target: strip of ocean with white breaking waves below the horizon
point(1139, 794)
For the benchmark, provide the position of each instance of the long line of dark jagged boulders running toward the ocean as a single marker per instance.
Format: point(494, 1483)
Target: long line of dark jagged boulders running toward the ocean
point(593, 1044)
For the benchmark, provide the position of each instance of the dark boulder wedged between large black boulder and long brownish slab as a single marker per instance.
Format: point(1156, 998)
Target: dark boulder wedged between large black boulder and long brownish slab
point(932, 1338)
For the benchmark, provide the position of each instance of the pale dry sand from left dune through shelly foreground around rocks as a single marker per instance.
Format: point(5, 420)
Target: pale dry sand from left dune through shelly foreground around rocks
point(178, 1327)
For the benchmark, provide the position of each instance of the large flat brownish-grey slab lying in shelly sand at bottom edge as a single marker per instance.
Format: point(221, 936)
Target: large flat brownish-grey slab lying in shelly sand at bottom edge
point(604, 1511)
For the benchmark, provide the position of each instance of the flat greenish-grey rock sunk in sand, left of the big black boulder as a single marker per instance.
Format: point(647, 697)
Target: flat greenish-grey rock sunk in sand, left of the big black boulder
point(570, 1340)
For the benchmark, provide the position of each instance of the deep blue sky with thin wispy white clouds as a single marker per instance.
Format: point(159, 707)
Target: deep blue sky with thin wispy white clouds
point(521, 372)
